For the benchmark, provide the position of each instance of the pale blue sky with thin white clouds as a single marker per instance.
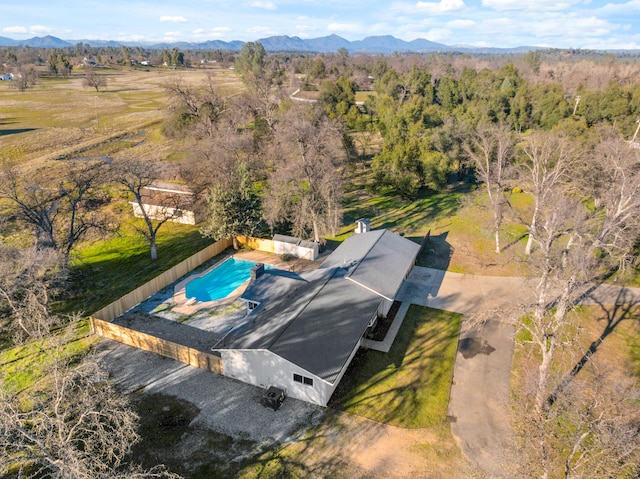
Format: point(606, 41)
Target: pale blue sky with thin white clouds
point(592, 24)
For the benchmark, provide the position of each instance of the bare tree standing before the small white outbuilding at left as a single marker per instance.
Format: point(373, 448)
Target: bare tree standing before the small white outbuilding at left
point(135, 176)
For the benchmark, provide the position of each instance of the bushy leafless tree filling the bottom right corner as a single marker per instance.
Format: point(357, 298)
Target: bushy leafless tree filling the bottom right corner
point(590, 431)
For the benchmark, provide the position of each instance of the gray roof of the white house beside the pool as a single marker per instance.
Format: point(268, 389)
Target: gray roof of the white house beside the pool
point(316, 318)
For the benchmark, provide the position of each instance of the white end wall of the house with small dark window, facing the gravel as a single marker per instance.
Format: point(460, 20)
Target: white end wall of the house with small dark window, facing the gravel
point(263, 368)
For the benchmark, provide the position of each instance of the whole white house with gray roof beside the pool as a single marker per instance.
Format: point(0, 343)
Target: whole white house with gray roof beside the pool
point(304, 329)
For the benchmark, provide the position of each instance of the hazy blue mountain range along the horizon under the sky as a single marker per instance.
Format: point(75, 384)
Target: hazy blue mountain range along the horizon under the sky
point(385, 44)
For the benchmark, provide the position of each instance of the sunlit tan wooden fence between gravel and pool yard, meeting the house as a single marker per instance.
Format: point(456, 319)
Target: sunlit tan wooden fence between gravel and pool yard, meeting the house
point(154, 344)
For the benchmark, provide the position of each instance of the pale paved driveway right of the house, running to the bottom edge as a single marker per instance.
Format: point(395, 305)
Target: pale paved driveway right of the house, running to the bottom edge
point(479, 405)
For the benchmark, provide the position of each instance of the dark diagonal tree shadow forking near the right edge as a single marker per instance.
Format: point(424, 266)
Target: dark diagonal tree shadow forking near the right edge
point(625, 307)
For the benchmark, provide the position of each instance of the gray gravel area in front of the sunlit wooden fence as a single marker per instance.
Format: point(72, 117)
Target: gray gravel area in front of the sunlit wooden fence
point(226, 405)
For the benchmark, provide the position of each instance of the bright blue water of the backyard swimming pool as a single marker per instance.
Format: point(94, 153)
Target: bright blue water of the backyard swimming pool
point(220, 281)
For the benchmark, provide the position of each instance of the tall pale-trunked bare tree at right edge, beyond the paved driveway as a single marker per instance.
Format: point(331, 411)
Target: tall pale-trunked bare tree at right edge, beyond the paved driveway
point(578, 247)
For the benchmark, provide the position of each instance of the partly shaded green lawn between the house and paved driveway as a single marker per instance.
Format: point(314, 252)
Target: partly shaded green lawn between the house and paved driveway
point(409, 386)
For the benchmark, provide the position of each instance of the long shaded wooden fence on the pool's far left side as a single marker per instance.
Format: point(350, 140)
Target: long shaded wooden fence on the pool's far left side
point(138, 295)
